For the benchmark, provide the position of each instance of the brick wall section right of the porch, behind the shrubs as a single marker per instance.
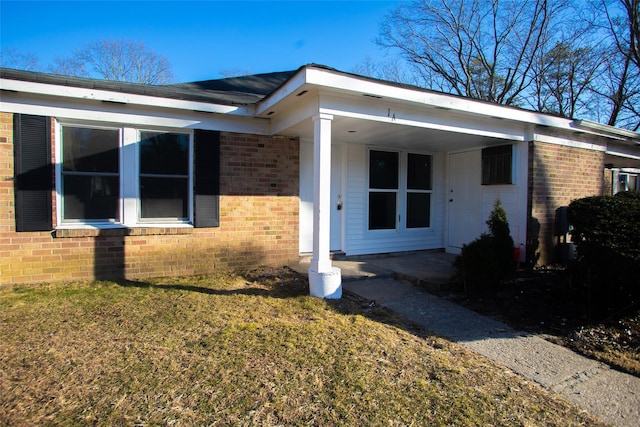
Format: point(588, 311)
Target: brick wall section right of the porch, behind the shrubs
point(557, 175)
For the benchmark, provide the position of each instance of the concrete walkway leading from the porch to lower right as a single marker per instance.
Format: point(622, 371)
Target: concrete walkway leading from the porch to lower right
point(393, 282)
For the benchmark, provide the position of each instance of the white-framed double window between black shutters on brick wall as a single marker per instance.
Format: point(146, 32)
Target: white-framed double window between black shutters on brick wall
point(124, 176)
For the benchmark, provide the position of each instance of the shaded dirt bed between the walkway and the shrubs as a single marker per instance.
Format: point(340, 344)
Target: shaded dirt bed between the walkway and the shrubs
point(543, 302)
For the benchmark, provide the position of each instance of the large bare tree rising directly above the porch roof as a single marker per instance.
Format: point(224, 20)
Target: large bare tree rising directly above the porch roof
point(482, 49)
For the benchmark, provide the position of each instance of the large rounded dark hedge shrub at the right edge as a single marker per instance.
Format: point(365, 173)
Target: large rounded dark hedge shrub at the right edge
point(606, 232)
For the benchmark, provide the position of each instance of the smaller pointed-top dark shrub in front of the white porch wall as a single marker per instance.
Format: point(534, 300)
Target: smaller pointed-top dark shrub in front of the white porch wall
point(488, 259)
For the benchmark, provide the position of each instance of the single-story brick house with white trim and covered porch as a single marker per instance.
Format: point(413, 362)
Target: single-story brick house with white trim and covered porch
point(106, 179)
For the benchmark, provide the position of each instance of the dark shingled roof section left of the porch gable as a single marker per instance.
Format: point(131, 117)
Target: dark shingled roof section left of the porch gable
point(229, 91)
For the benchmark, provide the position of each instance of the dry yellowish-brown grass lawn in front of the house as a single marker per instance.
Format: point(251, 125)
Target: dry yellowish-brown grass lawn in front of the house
point(242, 350)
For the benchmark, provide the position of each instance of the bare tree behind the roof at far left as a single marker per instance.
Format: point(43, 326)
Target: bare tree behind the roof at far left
point(118, 60)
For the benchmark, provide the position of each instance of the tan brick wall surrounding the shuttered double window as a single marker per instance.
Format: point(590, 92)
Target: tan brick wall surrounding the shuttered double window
point(258, 224)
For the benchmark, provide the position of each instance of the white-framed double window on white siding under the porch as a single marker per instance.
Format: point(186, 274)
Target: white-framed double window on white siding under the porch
point(400, 187)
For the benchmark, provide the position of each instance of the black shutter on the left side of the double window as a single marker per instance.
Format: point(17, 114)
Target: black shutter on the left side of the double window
point(32, 172)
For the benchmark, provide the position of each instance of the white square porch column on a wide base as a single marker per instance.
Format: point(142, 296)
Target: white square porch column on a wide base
point(324, 279)
